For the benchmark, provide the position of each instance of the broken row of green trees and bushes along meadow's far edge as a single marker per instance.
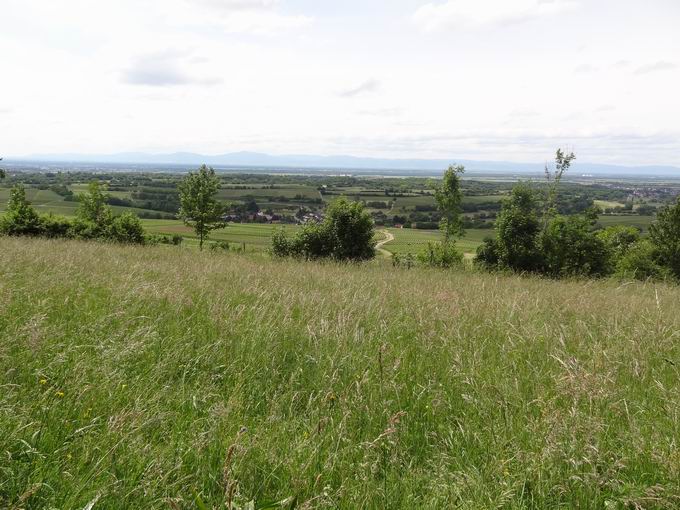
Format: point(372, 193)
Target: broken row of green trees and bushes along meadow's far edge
point(532, 235)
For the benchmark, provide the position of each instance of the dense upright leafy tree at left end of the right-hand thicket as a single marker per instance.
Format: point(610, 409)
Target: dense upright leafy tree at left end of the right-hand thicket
point(517, 230)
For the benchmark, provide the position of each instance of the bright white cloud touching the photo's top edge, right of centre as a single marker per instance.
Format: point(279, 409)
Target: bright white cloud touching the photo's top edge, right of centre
point(454, 14)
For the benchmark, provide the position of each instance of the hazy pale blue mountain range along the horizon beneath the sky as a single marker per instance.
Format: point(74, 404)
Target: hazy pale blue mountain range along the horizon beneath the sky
point(248, 160)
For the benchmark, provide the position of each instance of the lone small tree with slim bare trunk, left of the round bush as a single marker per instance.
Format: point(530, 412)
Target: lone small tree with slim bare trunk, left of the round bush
point(199, 207)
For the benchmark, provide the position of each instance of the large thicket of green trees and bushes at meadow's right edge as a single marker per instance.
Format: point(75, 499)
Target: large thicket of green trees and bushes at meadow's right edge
point(532, 237)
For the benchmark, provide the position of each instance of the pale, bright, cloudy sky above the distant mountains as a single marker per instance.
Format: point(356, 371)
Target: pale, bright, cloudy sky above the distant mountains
point(470, 79)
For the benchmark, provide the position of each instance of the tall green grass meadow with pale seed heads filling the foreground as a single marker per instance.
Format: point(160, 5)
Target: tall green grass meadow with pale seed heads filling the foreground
point(167, 378)
